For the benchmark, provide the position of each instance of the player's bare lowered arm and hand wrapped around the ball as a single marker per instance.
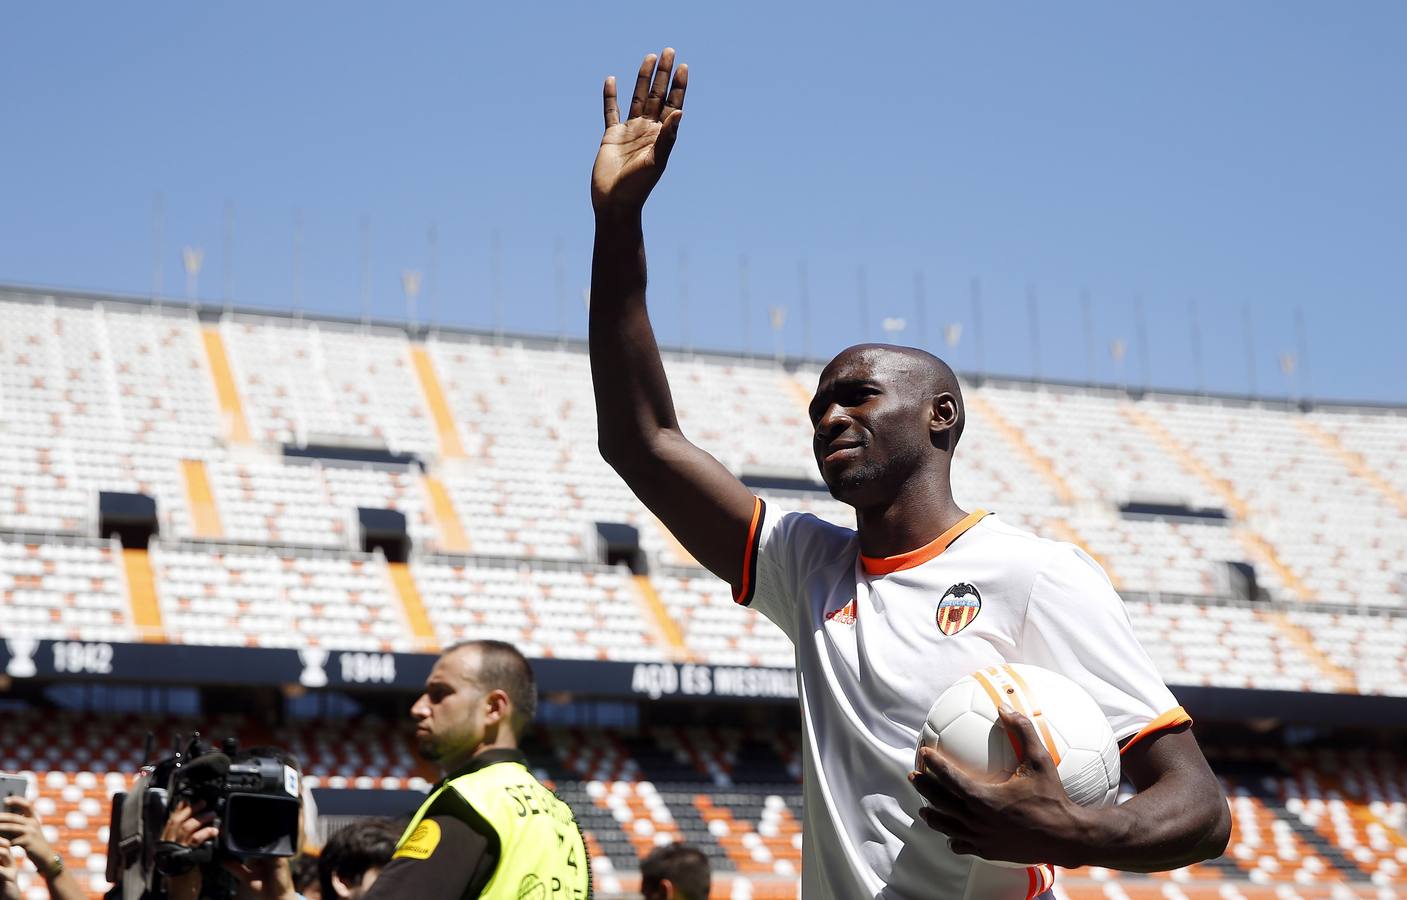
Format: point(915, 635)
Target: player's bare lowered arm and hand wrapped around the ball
point(1178, 818)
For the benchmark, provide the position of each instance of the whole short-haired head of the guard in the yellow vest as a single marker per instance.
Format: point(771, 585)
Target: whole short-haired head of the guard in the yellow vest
point(480, 695)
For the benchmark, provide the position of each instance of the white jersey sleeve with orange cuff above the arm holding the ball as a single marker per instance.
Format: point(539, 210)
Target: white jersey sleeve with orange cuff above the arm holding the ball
point(1077, 625)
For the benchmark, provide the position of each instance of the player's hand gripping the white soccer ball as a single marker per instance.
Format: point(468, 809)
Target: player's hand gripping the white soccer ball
point(1025, 819)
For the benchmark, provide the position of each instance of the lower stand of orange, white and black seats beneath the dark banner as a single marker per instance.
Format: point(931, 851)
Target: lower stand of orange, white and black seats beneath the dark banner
point(1306, 823)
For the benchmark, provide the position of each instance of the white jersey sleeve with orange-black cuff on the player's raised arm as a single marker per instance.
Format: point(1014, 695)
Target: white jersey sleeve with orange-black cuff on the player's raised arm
point(782, 549)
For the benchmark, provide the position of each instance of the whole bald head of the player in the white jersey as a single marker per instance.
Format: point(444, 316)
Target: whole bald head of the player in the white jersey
point(884, 416)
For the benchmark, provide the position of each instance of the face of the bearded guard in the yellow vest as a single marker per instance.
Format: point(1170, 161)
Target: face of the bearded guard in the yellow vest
point(450, 715)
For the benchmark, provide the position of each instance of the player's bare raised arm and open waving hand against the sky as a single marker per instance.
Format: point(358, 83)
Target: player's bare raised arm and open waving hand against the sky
point(694, 496)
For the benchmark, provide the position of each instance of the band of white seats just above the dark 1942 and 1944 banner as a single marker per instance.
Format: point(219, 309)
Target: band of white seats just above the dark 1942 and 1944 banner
point(271, 597)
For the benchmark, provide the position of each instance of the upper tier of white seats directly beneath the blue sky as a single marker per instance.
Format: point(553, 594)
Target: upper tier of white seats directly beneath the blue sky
point(115, 396)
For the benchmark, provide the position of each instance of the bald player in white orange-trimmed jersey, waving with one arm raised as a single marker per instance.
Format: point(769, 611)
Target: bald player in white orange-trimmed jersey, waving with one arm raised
point(886, 617)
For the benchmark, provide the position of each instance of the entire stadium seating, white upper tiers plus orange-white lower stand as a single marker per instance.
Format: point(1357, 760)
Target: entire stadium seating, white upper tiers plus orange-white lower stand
point(488, 446)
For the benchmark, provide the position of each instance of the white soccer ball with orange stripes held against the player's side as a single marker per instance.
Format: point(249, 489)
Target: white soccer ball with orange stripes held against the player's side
point(963, 725)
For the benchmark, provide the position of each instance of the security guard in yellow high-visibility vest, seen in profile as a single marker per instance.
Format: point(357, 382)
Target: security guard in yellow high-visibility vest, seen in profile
point(489, 829)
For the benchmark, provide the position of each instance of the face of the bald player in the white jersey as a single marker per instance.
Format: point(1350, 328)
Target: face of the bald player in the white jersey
point(870, 427)
